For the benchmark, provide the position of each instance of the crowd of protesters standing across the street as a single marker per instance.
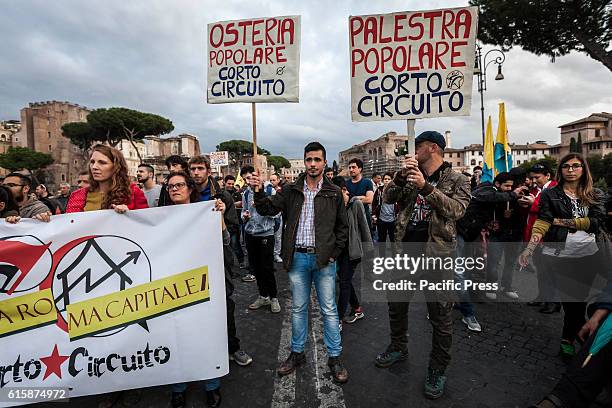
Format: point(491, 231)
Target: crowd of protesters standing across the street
point(323, 225)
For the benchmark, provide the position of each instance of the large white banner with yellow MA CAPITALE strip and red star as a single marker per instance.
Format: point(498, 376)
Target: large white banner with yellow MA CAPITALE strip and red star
point(99, 301)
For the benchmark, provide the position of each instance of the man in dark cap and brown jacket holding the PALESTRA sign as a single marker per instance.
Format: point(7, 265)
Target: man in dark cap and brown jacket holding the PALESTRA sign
point(431, 197)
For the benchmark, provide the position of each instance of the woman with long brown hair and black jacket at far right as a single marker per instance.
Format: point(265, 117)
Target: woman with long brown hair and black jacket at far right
point(571, 223)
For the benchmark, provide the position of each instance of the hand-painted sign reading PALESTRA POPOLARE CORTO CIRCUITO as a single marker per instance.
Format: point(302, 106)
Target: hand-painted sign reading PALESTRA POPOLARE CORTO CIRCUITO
point(413, 64)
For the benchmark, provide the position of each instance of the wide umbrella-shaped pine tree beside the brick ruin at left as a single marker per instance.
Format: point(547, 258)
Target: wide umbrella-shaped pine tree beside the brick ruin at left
point(115, 124)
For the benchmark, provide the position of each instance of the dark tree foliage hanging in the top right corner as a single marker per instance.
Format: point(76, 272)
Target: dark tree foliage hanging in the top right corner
point(548, 27)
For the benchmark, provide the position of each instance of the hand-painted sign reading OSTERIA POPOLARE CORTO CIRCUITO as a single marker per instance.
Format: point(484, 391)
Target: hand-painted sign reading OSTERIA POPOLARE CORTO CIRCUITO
point(255, 60)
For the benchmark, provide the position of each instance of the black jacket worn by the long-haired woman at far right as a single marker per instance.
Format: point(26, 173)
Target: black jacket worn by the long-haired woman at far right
point(554, 203)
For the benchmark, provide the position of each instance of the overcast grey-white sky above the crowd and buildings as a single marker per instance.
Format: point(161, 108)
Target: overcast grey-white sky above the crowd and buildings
point(150, 56)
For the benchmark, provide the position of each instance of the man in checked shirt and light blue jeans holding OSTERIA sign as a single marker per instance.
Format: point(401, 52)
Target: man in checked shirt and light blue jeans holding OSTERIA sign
point(311, 245)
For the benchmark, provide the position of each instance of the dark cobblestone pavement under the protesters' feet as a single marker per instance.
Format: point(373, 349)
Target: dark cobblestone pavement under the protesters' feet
point(512, 363)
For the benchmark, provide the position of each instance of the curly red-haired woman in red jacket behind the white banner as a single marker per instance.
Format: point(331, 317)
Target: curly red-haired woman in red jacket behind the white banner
point(110, 185)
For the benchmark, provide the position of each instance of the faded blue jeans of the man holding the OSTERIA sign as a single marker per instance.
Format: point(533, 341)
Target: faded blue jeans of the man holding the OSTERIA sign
point(303, 273)
